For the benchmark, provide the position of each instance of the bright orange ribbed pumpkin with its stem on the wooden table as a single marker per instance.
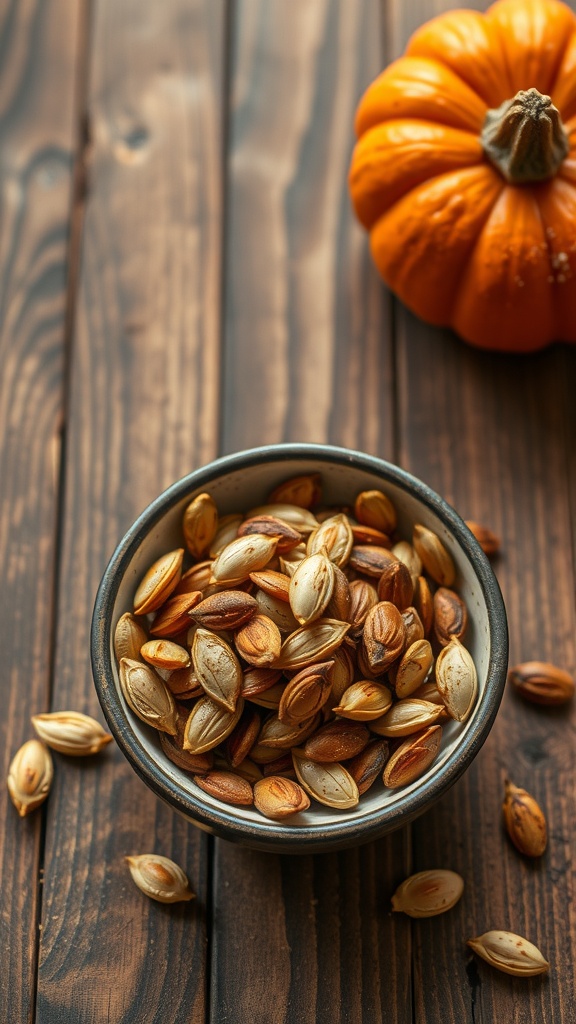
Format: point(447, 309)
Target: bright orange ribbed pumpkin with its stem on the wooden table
point(465, 174)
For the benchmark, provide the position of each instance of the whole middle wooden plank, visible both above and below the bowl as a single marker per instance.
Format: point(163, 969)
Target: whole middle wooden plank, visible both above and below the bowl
point(308, 347)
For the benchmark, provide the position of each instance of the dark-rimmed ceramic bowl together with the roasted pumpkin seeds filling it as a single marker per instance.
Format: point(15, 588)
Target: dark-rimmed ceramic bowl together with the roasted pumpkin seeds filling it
point(300, 648)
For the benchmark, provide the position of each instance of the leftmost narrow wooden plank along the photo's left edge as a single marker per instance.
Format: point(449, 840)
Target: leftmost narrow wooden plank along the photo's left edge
point(39, 54)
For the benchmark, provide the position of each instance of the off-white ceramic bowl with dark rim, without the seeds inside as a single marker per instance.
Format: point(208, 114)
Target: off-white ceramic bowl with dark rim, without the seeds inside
point(239, 483)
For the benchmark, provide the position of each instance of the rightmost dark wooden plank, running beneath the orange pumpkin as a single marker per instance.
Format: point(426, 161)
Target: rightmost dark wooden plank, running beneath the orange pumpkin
point(491, 434)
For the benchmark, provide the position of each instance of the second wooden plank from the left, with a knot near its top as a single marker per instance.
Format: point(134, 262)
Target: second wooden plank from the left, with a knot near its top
point(143, 412)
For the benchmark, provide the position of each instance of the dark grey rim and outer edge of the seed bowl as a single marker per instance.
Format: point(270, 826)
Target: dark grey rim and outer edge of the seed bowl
point(269, 835)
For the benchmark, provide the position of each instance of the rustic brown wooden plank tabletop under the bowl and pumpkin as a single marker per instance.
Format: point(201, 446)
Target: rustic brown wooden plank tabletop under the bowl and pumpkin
point(182, 278)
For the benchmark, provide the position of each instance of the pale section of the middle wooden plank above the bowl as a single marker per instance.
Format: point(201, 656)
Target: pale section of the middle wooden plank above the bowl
point(306, 323)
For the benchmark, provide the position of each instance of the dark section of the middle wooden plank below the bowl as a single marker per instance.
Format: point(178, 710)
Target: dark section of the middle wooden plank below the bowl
point(317, 937)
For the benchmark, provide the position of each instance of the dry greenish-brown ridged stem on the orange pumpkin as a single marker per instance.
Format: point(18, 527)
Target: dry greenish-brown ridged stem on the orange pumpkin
point(525, 138)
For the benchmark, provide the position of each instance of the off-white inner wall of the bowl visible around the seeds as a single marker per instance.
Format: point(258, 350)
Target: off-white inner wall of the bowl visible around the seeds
point(246, 488)
